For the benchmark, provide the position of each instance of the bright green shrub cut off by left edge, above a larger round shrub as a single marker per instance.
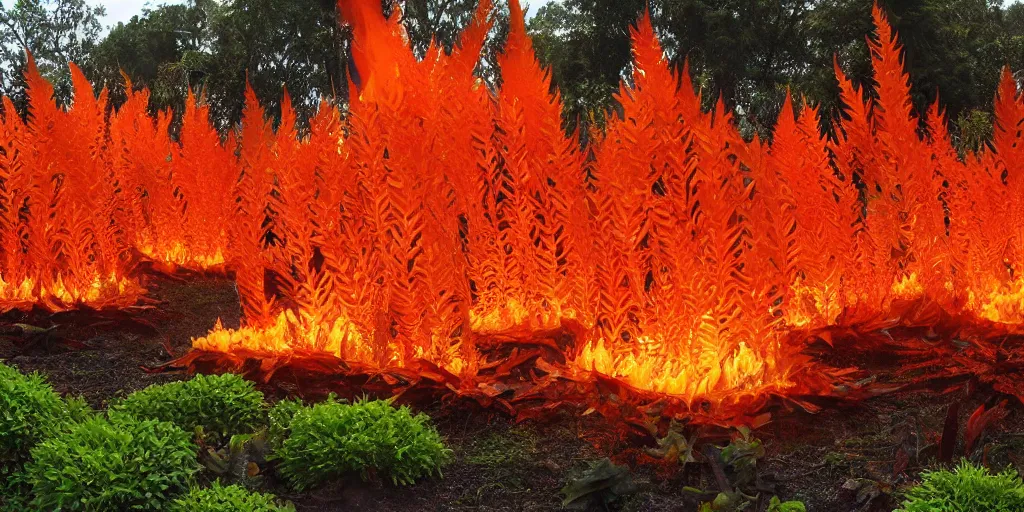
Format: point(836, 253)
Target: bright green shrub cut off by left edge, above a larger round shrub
point(30, 412)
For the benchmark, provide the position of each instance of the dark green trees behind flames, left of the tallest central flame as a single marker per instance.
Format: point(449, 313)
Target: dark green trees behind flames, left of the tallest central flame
point(216, 47)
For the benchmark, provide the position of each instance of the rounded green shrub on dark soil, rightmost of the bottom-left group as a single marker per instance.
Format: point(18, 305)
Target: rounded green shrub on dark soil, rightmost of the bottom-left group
point(332, 440)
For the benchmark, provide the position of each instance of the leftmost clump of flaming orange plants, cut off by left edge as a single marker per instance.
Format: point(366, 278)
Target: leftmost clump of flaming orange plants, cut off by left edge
point(65, 239)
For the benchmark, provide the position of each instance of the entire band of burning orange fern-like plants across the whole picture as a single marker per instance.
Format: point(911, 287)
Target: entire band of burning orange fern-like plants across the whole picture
point(440, 228)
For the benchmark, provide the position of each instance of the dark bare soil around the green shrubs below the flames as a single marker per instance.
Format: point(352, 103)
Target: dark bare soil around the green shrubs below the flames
point(846, 458)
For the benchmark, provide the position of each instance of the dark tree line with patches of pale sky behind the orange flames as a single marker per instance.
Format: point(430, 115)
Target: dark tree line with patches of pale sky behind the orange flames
point(749, 52)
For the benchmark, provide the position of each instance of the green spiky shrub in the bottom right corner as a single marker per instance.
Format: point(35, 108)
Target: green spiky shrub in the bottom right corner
point(966, 490)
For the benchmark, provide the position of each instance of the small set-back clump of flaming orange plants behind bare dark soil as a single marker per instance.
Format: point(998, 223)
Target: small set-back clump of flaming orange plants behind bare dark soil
point(179, 191)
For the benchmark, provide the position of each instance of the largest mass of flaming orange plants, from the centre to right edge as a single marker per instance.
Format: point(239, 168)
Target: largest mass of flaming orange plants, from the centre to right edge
point(439, 211)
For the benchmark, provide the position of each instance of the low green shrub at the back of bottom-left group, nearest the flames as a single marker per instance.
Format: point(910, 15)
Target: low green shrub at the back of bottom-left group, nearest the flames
point(222, 405)
